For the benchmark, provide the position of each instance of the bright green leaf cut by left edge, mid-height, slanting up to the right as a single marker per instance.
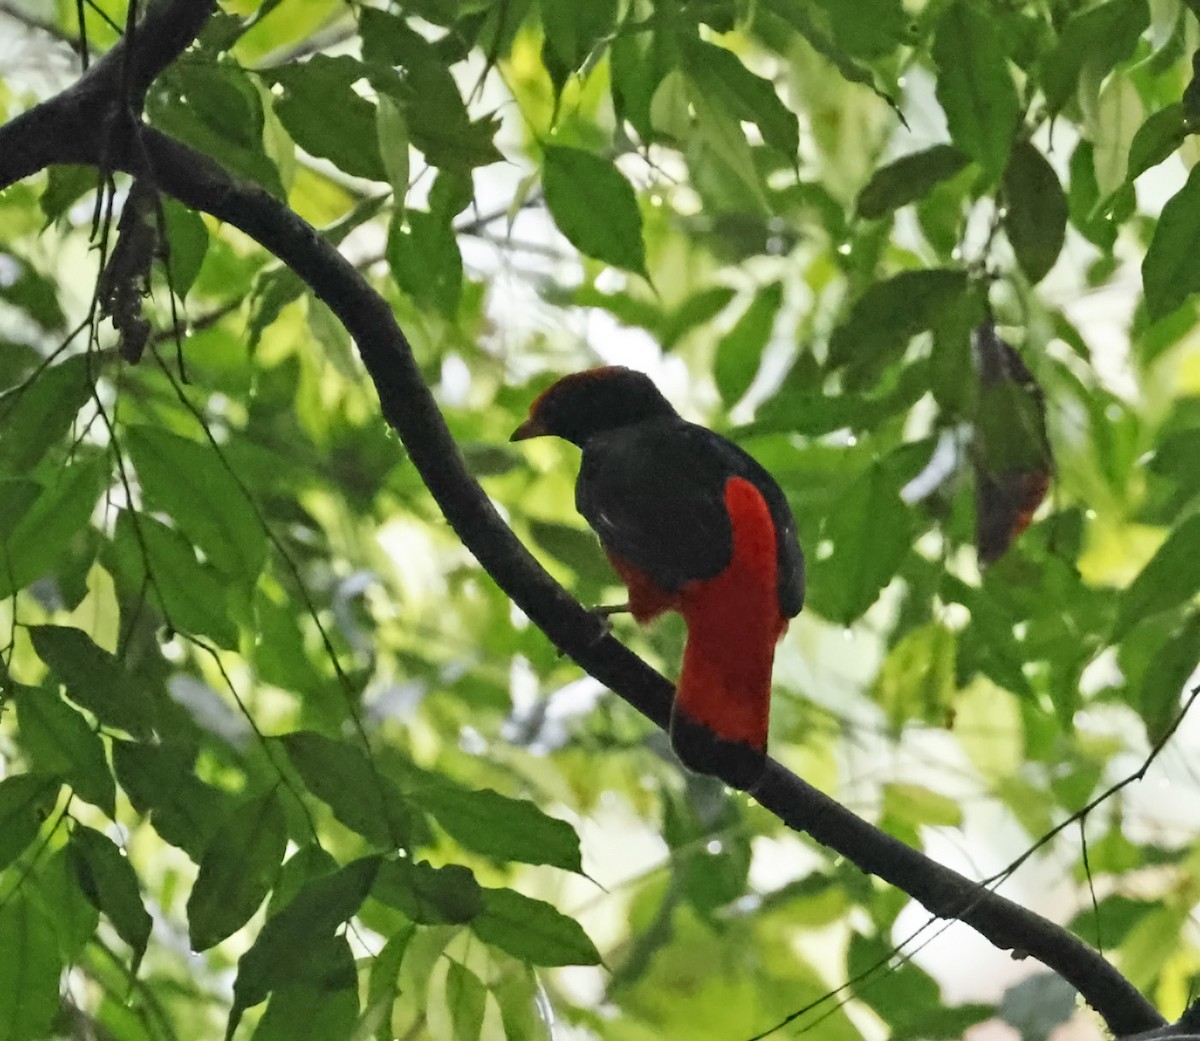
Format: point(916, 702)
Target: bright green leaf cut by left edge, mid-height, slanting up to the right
point(41, 535)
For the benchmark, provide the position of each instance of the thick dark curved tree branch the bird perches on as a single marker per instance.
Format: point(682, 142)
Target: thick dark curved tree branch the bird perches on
point(70, 128)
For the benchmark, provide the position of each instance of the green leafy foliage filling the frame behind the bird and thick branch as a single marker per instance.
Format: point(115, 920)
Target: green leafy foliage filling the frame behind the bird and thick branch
point(245, 660)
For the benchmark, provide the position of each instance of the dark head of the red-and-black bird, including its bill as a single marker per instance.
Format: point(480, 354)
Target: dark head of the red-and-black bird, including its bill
point(589, 404)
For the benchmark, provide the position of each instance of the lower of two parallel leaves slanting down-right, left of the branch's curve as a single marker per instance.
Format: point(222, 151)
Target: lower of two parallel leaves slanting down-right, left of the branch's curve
point(191, 595)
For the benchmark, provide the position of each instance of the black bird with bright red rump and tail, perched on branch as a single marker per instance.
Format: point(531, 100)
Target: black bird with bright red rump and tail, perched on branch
point(694, 525)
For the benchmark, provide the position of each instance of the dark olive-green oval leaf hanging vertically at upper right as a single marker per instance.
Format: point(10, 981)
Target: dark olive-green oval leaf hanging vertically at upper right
point(1036, 212)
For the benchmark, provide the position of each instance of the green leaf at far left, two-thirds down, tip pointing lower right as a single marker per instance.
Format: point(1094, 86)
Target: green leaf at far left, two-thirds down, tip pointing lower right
point(58, 741)
